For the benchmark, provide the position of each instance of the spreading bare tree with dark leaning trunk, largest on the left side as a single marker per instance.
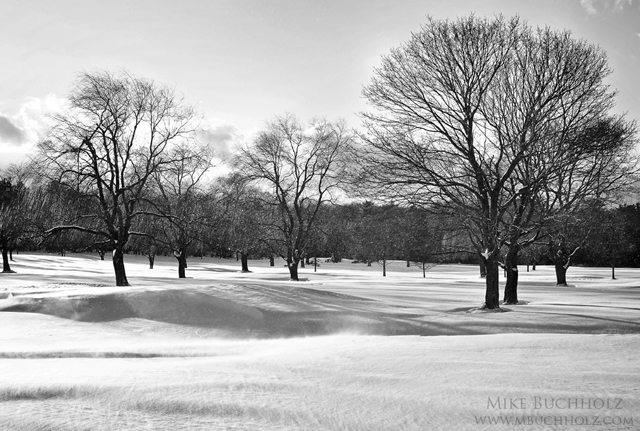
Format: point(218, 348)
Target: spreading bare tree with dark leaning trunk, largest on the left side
point(114, 137)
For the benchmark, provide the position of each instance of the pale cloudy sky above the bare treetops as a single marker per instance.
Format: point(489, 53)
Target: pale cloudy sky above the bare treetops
point(244, 61)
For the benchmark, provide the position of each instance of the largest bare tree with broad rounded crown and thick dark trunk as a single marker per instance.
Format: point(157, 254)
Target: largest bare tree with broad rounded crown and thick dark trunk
point(477, 118)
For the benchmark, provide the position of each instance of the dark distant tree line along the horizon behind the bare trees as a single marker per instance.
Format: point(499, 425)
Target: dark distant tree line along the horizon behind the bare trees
point(235, 220)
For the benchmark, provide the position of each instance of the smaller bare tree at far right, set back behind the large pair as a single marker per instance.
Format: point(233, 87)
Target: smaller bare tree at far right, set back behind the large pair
point(594, 179)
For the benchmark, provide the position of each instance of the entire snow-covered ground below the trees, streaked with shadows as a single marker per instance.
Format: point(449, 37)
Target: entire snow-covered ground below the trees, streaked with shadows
point(346, 349)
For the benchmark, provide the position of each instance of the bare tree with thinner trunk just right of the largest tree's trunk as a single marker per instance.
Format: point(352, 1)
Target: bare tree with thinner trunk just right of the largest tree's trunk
point(552, 99)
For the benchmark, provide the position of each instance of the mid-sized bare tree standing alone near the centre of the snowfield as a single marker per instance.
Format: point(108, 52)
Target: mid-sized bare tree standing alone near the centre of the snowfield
point(301, 168)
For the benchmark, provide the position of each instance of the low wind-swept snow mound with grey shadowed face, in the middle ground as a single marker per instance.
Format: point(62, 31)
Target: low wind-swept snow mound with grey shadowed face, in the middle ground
point(227, 310)
